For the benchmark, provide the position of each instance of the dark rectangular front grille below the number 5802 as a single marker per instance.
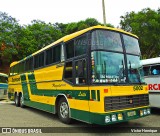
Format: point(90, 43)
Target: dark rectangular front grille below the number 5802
point(123, 102)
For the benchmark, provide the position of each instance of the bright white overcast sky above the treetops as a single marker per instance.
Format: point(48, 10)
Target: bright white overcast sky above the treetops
point(67, 11)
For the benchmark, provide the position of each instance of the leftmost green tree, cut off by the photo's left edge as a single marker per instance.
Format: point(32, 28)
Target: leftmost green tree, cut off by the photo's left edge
point(8, 32)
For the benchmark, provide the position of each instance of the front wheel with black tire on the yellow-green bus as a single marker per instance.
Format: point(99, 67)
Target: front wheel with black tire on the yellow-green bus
point(63, 111)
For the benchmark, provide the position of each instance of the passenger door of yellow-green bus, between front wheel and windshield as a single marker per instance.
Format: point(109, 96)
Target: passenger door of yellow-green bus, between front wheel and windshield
point(81, 90)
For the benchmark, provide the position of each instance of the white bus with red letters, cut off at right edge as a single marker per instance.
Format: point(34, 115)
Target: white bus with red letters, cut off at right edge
point(151, 69)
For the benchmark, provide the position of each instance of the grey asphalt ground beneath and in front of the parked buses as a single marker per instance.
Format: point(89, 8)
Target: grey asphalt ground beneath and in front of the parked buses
point(29, 119)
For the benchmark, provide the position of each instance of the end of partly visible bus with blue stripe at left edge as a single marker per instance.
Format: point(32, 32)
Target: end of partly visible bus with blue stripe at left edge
point(3, 85)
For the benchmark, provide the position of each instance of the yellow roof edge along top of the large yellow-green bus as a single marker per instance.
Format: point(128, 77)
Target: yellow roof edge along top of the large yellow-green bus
point(73, 35)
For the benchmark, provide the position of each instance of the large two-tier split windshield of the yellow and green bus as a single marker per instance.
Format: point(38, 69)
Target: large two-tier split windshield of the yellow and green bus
point(108, 58)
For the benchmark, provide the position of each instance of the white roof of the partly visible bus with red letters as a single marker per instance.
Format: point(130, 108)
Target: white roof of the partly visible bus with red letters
point(150, 61)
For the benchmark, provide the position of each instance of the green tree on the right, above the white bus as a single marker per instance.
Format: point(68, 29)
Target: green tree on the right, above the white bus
point(145, 24)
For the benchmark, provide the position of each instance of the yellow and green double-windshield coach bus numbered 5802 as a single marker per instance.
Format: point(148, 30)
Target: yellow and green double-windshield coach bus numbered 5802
point(93, 75)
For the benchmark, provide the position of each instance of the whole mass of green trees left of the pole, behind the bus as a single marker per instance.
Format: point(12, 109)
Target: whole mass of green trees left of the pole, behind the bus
point(21, 41)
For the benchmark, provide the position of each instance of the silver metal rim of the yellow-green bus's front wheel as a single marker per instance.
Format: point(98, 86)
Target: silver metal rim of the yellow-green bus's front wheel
point(64, 110)
